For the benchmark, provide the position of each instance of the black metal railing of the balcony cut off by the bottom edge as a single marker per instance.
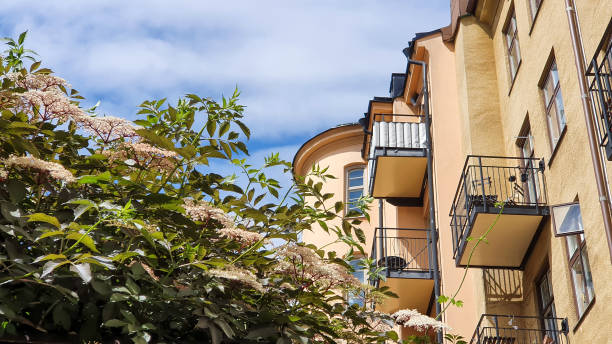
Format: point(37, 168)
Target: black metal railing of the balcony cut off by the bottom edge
point(510, 329)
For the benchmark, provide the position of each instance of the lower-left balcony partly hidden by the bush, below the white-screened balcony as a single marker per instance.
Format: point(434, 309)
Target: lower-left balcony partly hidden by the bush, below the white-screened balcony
point(406, 258)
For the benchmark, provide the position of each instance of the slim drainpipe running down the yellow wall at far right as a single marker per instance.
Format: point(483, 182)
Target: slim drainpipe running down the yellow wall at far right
point(598, 167)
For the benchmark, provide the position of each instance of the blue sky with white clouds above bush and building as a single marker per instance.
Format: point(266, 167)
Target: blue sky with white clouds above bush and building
point(301, 66)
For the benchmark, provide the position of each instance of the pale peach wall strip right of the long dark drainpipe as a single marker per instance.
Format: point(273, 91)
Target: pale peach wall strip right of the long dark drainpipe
point(450, 147)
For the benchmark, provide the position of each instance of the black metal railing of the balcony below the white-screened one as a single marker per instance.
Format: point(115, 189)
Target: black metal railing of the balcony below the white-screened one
point(405, 252)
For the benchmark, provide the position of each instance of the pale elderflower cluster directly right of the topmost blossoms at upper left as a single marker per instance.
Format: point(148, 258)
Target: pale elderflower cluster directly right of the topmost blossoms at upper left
point(108, 128)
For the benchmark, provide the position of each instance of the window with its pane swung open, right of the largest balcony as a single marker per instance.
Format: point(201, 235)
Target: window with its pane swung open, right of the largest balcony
point(567, 221)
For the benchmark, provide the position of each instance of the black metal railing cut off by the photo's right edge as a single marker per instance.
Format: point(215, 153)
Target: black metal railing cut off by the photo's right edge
point(600, 75)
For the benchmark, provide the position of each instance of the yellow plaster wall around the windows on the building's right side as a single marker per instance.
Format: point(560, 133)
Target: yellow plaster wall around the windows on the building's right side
point(570, 174)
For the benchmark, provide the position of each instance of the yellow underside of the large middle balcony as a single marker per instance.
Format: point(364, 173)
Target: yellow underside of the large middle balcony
point(508, 243)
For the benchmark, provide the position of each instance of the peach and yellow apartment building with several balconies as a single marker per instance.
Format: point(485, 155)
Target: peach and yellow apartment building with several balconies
point(520, 101)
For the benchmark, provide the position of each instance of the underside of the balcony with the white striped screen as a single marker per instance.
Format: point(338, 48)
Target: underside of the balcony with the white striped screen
point(399, 174)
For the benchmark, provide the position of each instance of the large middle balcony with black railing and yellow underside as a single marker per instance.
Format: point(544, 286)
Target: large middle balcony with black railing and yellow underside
point(486, 183)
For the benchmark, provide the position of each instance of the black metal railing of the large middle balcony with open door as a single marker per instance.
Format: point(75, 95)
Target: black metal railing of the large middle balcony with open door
point(487, 180)
